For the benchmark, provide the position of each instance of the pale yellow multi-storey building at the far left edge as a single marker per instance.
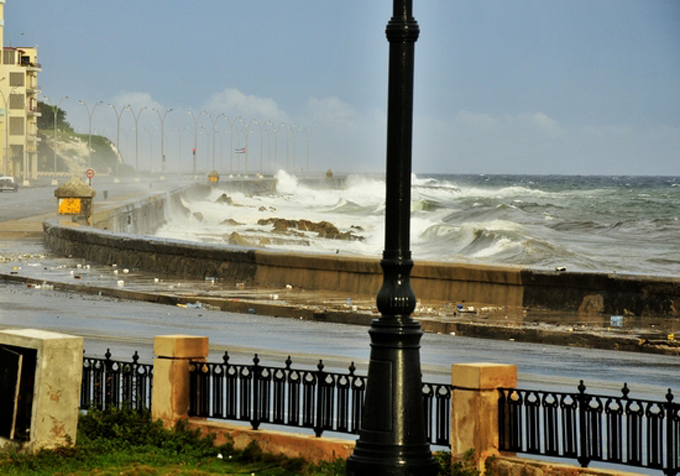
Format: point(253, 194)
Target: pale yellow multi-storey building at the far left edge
point(18, 109)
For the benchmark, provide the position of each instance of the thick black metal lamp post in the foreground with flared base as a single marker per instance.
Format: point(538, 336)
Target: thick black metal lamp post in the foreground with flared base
point(393, 437)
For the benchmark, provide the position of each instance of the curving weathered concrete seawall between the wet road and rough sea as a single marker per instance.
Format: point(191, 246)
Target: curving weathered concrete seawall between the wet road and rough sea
point(122, 236)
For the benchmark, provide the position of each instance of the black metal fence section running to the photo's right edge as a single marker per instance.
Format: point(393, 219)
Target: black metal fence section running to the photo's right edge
point(585, 427)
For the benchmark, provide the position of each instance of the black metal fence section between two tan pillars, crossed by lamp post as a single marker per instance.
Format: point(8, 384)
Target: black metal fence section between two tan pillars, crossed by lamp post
point(312, 398)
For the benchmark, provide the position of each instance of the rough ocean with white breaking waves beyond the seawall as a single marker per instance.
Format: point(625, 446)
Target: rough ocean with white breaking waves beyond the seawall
point(619, 224)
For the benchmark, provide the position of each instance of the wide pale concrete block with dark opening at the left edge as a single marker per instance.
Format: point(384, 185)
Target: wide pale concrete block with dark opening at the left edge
point(50, 371)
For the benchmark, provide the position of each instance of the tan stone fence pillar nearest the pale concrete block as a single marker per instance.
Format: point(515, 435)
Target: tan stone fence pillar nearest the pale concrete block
point(170, 401)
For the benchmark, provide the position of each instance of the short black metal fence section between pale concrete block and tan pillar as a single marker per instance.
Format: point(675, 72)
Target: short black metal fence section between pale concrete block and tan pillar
point(112, 383)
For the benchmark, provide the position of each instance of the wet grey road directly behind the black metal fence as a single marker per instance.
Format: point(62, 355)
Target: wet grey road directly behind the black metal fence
point(128, 326)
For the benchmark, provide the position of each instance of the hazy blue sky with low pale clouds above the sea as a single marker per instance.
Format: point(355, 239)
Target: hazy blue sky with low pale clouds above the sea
point(589, 87)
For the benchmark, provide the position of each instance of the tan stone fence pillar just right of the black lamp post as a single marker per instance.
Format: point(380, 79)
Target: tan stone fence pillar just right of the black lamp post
point(474, 415)
